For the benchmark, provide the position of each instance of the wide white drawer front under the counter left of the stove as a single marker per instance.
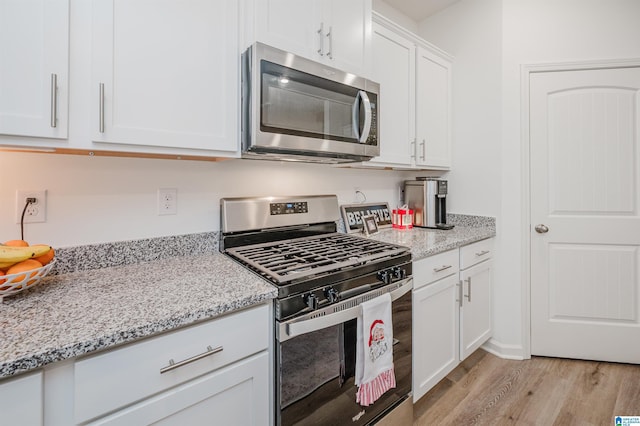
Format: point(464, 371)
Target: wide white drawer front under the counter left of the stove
point(123, 376)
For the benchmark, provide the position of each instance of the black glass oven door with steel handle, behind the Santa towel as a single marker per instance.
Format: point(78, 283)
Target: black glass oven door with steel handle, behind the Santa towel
point(316, 363)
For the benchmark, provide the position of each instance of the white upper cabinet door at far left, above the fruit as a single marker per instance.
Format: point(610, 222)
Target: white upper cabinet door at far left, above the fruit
point(34, 64)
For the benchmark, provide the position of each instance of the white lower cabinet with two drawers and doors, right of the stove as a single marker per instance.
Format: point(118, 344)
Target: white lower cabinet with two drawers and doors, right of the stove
point(451, 311)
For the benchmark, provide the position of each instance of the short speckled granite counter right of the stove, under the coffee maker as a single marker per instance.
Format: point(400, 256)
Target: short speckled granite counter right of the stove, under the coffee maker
point(425, 242)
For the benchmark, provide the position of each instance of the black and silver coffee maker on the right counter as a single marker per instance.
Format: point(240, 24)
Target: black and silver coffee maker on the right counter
point(427, 197)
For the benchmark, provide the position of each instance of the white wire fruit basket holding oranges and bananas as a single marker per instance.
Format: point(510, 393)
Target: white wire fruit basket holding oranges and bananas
point(22, 266)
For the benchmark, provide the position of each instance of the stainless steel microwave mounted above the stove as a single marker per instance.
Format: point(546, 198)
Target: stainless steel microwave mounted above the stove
point(297, 109)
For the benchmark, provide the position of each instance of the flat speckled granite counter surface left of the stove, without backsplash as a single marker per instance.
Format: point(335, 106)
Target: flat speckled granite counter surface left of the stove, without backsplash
point(76, 313)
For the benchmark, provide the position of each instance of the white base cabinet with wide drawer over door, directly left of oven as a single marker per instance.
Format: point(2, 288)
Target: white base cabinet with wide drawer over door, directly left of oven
point(184, 377)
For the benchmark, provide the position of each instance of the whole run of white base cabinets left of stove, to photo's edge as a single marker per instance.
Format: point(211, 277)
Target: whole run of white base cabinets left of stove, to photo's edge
point(219, 373)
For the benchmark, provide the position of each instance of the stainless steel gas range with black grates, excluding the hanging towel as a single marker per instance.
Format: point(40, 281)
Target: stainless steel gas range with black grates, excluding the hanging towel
point(322, 277)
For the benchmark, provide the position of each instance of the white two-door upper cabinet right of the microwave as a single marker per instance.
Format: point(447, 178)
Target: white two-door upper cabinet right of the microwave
point(415, 99)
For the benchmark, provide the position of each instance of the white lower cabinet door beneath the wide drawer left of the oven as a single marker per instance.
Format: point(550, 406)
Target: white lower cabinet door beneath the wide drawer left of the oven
point(236, 395)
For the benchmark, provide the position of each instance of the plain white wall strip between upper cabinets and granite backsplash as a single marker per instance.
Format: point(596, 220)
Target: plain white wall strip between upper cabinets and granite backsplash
point(106, 199)
